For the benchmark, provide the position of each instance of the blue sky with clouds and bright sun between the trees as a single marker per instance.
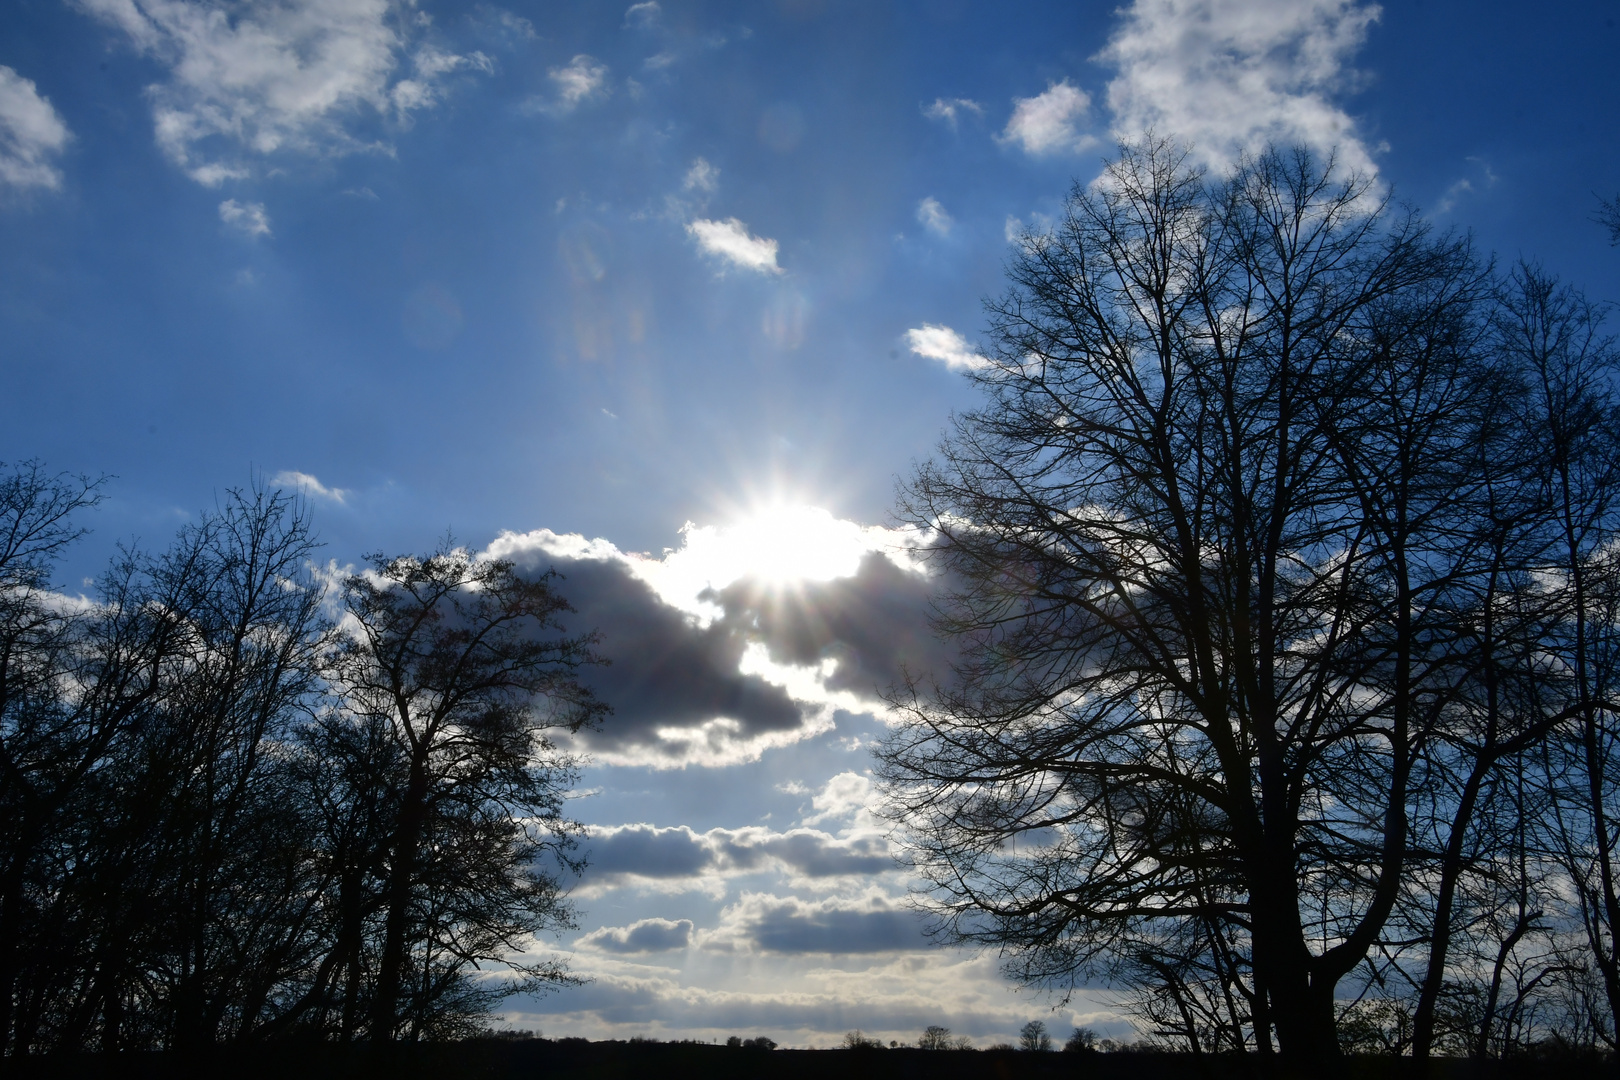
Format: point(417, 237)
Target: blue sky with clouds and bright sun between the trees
point(668, 297)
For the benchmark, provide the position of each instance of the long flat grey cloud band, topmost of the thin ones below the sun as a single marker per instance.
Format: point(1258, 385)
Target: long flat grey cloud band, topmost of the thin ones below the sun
point(644, 851)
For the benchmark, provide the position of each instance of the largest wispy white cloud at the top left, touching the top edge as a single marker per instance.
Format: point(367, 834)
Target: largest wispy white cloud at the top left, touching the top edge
point(276, 75)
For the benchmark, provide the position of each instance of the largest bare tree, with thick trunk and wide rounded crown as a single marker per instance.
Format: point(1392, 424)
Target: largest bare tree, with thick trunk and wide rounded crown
point(1204, 532)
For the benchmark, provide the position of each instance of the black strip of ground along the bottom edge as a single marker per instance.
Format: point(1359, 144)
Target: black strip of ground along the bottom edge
point(506, 1060)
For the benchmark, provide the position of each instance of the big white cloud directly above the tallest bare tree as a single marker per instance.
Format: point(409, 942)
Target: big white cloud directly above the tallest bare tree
point(1234, 75)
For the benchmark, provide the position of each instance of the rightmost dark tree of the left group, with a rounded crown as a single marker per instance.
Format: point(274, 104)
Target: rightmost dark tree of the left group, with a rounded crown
point(456, 670)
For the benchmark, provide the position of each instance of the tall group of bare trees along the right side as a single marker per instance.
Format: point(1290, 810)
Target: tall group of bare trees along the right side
point(1285, 559)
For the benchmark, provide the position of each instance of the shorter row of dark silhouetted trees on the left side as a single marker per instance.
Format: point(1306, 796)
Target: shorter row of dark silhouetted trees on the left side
point(244, 801)
